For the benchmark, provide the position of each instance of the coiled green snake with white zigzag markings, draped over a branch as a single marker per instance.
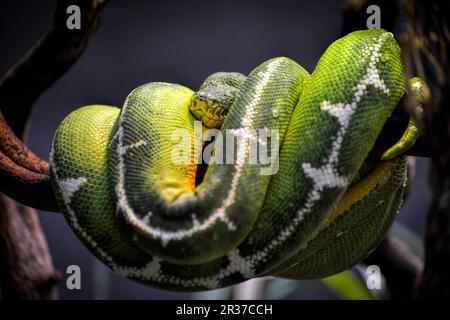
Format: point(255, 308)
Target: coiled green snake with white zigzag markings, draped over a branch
point(322, 203)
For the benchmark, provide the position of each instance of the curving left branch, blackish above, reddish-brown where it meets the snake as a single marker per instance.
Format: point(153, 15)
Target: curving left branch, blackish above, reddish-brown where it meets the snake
point(25, 177)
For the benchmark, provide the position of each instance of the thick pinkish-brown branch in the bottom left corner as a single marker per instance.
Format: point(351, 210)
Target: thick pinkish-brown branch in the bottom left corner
point(26, 269)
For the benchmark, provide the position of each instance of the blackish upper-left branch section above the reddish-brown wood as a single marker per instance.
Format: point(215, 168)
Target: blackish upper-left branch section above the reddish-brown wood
point(50, 58)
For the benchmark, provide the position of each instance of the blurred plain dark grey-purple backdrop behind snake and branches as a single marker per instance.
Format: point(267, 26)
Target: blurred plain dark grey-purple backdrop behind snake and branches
point(181, 42)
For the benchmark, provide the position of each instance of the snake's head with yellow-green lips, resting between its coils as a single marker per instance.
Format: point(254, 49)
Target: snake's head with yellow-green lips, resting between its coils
point(211, 103)
